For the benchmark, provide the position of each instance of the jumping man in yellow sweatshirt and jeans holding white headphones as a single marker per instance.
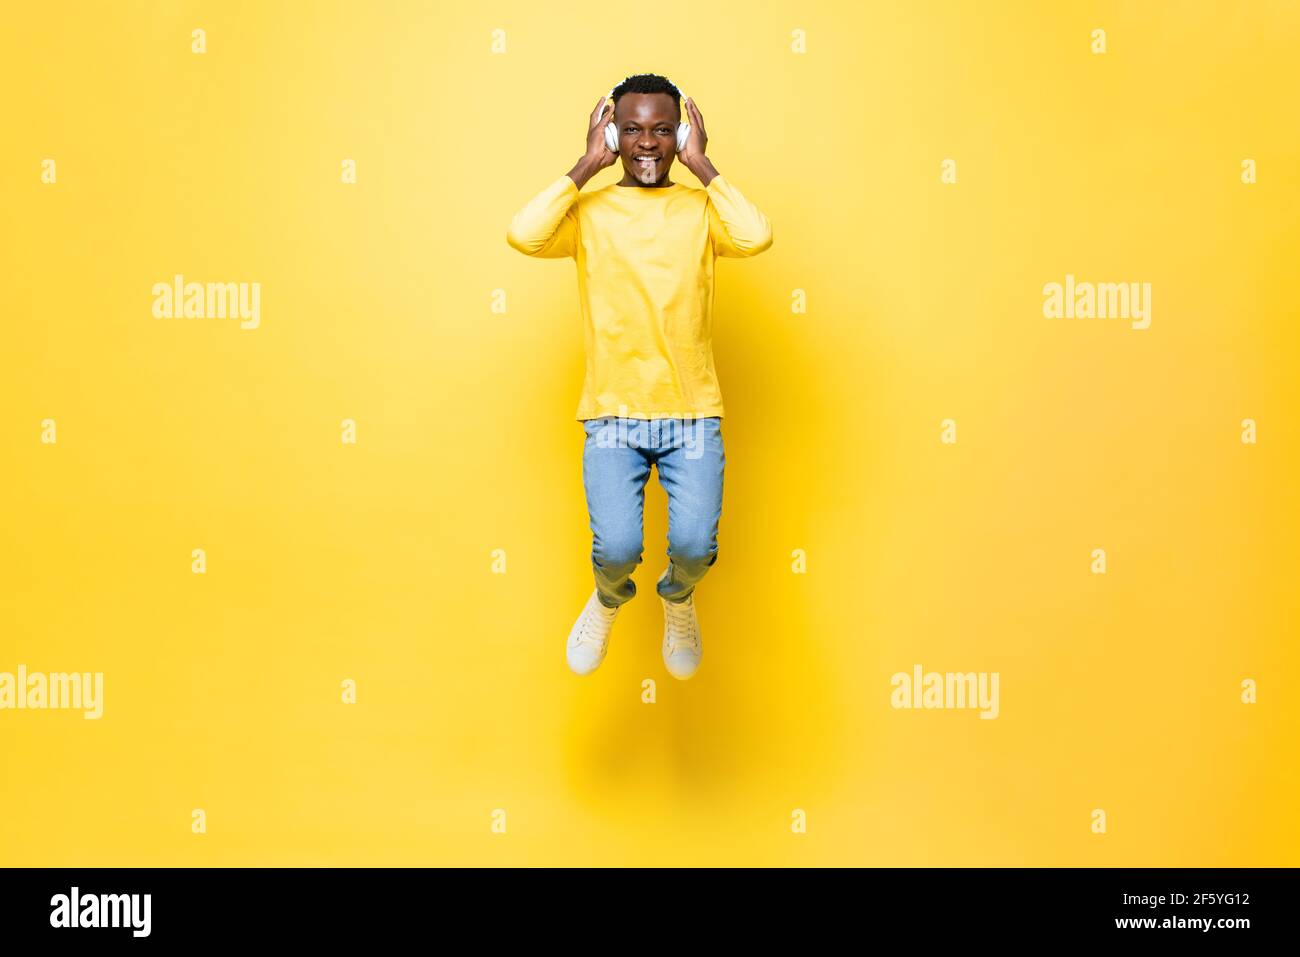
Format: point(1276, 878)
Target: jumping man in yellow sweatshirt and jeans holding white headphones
point(645, 250)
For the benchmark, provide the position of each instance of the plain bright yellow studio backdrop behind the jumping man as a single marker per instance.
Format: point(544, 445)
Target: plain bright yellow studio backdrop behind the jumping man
point(374, 562)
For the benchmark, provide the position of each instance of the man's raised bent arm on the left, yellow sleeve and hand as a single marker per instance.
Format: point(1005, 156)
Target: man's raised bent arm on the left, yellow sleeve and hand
point(548, 226)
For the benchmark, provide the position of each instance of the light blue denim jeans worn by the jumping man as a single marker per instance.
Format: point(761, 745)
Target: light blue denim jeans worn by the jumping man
point(617, 462)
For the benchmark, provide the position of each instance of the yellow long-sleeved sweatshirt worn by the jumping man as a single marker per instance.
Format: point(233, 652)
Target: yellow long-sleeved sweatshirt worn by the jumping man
point(645, 280)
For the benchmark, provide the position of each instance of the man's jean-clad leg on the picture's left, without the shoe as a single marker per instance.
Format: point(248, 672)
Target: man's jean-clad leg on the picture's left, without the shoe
point(616, 479)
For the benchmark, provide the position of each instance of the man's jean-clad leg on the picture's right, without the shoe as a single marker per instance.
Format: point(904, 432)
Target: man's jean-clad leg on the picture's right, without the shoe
point(691, 471)
